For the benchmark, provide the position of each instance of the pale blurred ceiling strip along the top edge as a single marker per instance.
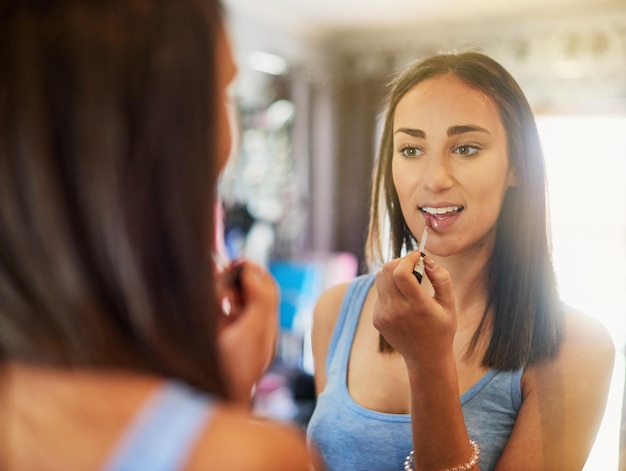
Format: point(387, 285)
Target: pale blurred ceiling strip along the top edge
point(315, 19)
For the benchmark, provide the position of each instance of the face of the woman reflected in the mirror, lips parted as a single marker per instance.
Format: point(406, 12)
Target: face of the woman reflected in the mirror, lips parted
point(450, 165)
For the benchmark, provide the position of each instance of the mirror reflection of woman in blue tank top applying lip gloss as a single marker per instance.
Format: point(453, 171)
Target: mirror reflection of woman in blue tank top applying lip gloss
point(479, 366)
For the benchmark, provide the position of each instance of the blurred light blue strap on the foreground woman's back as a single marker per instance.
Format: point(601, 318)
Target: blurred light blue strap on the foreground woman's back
point(164, 431)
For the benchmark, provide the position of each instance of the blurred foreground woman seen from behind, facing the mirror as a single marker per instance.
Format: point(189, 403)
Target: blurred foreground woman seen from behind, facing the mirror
point(115, 352)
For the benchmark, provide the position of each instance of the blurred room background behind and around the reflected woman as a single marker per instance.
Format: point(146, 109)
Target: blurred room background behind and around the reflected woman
point(309, 95)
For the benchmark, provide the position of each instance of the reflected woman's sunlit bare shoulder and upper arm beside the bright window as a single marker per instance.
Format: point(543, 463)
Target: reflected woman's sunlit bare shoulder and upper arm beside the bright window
point(564, 399)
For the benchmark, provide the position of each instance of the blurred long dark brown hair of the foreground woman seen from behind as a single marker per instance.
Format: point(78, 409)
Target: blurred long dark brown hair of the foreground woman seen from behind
point(107, 185)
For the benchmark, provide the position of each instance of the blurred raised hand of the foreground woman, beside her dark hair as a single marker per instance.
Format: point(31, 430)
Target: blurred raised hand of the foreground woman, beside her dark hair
point(247, 340)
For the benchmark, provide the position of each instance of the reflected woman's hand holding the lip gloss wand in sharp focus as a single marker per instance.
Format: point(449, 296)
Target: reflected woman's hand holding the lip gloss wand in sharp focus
point(416, 324)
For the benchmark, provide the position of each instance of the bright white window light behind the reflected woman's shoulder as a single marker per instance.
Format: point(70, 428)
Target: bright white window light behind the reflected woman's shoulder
point(586, 168)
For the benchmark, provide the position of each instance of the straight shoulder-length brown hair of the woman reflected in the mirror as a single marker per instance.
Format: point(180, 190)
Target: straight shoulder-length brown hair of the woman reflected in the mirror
point(527, 324)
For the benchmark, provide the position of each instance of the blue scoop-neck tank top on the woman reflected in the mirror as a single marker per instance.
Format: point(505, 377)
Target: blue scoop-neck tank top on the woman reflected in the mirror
point(351, 437)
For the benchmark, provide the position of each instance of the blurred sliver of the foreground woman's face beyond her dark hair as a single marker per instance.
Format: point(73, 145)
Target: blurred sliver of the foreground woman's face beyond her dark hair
point(226, 72)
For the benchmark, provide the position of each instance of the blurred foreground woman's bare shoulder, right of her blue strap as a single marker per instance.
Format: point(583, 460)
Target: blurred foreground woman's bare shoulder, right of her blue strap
point(234, 440)
